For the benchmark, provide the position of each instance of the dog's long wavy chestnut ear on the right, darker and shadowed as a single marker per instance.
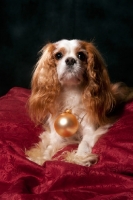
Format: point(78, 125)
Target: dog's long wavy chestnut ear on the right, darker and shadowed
point(98, 96)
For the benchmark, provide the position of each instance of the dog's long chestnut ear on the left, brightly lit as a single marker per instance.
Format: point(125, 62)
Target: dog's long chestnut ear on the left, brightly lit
point(45, 85)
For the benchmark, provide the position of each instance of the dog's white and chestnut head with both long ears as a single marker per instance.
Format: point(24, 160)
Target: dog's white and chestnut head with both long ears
point(71, 63)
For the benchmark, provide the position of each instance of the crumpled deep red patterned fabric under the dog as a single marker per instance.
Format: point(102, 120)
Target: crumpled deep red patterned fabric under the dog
point(20, 179)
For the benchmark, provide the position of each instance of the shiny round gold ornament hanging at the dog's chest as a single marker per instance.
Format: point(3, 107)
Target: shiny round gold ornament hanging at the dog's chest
point(66, 124)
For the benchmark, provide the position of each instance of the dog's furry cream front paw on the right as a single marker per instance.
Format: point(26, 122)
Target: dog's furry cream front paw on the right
point(84, 160)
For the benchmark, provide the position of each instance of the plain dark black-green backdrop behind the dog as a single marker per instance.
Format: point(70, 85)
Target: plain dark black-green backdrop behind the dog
point(26, 25)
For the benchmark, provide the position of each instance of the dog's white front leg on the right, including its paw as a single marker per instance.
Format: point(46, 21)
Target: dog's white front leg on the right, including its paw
point(83, 155)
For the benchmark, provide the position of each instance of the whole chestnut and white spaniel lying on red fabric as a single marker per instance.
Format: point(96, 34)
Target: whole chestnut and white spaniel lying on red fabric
point(71, 74)
